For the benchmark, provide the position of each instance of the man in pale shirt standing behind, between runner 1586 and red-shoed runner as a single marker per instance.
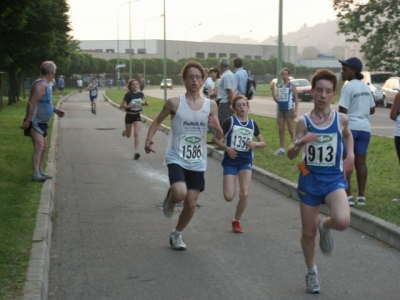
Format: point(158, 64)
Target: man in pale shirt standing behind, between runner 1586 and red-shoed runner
point(226, 90)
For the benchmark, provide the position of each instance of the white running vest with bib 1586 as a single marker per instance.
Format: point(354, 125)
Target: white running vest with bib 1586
point(187, 139)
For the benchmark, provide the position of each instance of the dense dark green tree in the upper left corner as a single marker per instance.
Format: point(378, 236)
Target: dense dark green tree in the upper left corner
point(32, 32)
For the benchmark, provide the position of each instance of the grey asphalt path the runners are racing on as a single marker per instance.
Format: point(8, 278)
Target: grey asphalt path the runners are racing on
point(111, 240)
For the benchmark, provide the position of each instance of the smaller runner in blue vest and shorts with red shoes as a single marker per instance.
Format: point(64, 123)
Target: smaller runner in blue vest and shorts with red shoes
point(239, 131)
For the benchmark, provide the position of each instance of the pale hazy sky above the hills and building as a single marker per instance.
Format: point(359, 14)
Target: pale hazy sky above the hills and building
point(100, 19)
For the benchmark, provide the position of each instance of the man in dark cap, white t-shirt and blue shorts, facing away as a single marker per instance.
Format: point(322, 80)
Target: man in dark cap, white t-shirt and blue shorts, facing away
point(357, 102)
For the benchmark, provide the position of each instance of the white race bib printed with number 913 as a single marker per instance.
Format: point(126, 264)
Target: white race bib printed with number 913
point(322, 152)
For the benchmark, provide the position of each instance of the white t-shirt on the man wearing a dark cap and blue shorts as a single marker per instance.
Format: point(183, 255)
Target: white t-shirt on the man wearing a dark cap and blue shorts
point(357, 98)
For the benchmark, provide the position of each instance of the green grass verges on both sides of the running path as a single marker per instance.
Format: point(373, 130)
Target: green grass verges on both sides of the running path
point(20, 197)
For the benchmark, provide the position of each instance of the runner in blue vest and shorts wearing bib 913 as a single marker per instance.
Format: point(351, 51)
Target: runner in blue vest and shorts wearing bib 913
point(320, 137)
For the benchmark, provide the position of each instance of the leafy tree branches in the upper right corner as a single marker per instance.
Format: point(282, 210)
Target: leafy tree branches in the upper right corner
point(378, 21)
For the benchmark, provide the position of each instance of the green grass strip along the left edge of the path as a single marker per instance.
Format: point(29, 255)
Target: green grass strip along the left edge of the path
point(19, 199)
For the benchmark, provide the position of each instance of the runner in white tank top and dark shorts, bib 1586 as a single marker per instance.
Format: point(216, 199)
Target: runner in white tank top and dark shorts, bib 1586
point(186, 154)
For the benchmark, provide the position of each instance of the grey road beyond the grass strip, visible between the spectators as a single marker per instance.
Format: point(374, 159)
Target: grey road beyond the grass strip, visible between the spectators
point(265, 106)
